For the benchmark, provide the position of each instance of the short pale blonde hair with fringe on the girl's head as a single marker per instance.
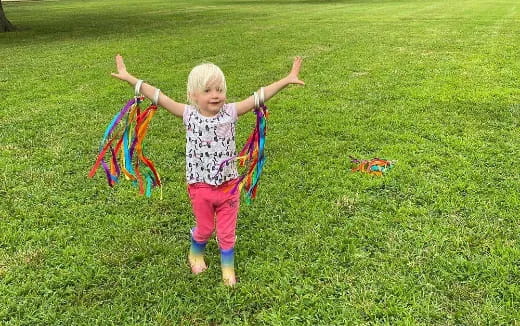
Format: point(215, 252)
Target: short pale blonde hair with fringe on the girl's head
point(203, 75)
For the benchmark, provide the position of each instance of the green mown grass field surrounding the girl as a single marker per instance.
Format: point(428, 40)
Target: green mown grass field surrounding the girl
point(431, 84)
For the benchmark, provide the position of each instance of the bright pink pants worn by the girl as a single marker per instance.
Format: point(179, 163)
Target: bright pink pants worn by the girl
point(214, 207)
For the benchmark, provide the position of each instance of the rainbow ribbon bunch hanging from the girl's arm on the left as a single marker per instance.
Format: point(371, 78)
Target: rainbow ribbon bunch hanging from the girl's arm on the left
point(128, 144)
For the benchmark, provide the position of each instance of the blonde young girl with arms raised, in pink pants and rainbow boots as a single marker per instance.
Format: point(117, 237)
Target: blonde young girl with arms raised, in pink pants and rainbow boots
point(210, 139)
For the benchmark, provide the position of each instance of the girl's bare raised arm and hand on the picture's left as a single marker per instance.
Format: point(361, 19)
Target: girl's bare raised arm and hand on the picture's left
point(147, 90)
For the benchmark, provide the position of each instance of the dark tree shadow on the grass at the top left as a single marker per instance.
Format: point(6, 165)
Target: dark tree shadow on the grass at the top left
point(52, 24)
